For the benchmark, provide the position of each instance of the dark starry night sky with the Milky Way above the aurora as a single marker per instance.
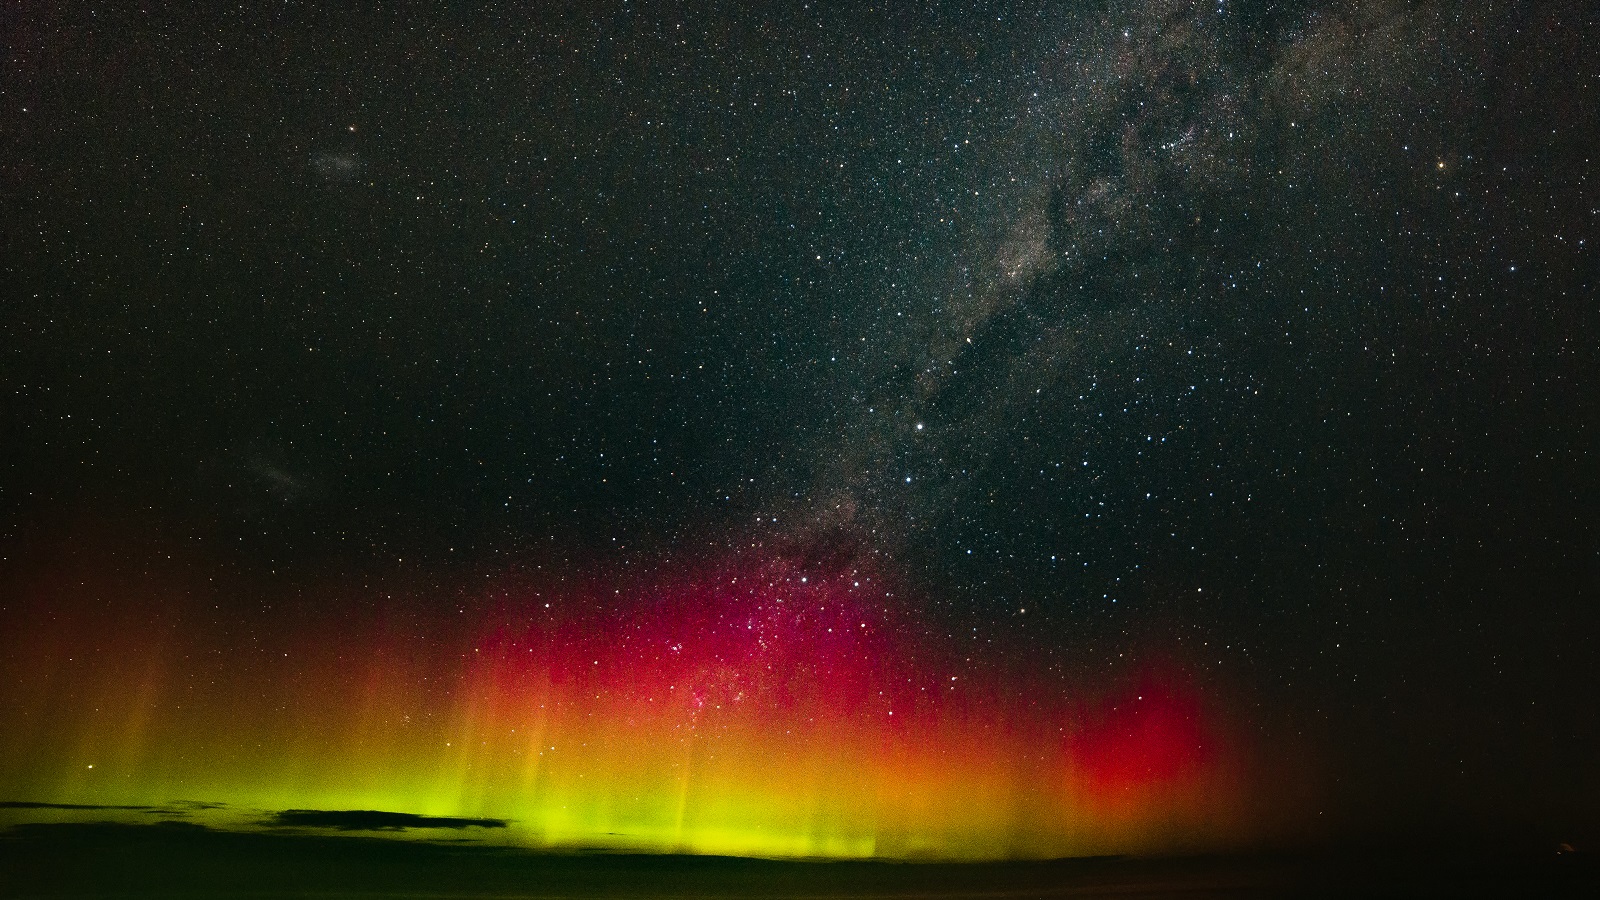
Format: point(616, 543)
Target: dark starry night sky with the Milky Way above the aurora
point(1263, 326)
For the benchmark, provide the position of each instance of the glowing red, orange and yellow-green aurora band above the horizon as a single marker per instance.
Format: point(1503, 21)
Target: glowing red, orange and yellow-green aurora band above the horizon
point(759, 710)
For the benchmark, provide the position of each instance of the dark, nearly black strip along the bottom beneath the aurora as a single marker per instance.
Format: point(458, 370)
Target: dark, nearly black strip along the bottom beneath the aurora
point(119, 861)
